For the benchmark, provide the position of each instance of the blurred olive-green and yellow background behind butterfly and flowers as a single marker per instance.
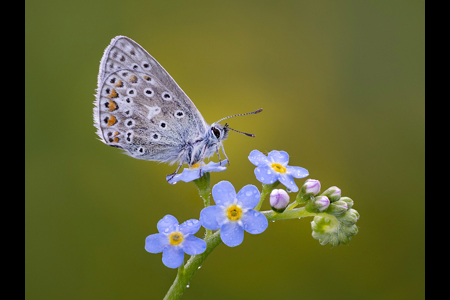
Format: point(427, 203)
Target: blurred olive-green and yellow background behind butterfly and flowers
point(342, 85)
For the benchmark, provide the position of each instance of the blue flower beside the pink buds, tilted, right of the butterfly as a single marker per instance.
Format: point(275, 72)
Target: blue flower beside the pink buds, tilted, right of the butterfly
point(274, 167)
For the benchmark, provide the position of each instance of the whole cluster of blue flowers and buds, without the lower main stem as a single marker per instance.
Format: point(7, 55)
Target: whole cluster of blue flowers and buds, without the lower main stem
point(237, 212)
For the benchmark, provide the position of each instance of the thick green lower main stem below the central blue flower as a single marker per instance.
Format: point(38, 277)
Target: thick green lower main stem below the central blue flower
point(193, 264)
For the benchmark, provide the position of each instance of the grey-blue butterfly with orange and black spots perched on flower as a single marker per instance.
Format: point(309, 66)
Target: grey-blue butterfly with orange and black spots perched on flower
point(139, 108)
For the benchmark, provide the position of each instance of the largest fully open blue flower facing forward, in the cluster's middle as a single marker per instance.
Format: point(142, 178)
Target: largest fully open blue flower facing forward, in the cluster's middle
point(233, 213)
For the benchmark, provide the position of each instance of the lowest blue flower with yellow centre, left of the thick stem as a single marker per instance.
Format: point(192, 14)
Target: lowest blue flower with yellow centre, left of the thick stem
point(174, 240)
